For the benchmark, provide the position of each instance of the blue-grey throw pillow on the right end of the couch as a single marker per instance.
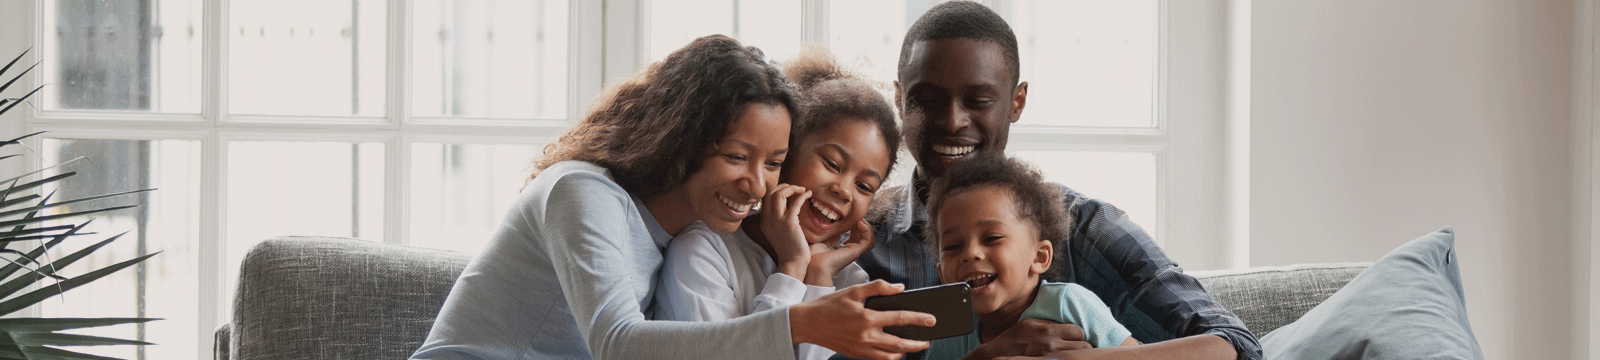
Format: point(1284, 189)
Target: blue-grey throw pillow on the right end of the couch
point(1407, 306)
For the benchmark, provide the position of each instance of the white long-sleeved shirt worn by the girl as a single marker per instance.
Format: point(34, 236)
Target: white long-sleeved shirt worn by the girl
point(711, 278)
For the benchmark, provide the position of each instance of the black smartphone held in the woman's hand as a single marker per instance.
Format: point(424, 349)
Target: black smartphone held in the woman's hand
point(951, 305)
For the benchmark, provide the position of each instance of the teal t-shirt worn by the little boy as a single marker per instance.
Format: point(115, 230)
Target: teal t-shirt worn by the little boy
point(1063, 303)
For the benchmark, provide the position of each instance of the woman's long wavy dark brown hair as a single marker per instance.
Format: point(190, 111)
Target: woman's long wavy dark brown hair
point(655, 129)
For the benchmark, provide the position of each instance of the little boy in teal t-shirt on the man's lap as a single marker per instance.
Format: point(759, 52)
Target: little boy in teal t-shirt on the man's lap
point(996, 223)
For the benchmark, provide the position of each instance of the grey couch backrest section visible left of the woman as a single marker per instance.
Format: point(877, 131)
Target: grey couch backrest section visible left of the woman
point(338, 298)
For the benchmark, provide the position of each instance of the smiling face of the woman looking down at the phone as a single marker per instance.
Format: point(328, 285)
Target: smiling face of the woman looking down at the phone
point(742, 169)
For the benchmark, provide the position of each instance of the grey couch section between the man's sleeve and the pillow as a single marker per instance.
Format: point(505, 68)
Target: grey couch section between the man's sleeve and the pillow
point(1268, 298)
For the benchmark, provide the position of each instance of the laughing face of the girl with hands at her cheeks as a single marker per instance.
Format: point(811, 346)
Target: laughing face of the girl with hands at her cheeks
point(842, 166)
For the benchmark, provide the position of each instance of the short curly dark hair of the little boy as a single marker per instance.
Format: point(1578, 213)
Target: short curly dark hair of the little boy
point(1036, 201)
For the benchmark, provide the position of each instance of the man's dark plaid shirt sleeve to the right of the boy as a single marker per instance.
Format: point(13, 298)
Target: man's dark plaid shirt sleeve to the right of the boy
point(1145, 290)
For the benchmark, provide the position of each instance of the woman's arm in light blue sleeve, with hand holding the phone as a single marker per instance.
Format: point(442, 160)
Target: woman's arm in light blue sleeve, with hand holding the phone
point(598, 263)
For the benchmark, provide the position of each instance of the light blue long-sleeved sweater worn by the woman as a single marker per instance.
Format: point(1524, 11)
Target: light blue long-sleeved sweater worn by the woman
point(570, 274)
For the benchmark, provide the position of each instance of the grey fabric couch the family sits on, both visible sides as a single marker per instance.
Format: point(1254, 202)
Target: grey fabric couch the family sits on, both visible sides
point(340, 298)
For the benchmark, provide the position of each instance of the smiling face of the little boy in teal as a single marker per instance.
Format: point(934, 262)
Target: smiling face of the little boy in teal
point(985, 242)
